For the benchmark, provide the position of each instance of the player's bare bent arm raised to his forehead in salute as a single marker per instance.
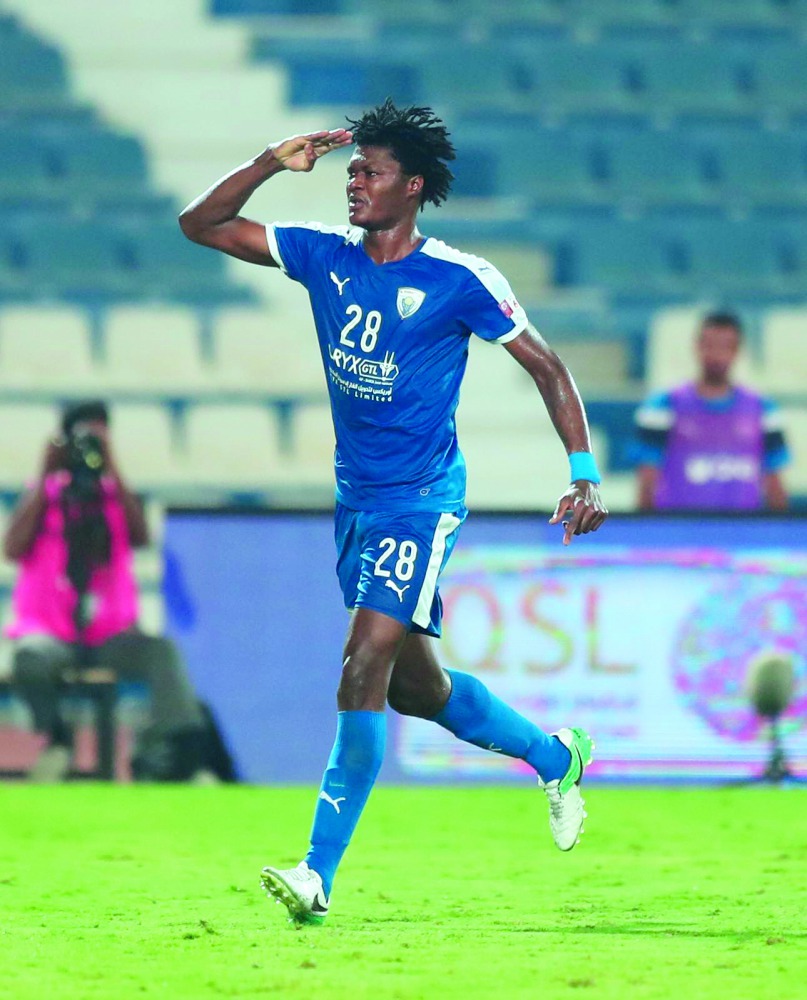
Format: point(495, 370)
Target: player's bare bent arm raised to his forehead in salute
point(213, 218)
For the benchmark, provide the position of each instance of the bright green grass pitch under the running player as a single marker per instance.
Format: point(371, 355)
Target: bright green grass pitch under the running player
point(127, 892)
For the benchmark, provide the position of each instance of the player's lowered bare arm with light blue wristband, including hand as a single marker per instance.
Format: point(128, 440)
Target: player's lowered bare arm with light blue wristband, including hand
point(580, 508)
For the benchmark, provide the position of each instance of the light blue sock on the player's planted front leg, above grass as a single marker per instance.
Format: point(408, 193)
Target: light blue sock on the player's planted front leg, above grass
point(352, 769)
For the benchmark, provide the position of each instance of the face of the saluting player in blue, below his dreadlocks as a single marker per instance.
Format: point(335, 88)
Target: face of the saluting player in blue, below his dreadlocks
point(379, 195)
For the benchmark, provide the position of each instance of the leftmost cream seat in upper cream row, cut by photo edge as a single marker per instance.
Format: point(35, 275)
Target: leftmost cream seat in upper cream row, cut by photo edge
point(45, 348)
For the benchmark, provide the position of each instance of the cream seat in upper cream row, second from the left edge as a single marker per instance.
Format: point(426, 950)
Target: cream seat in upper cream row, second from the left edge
point(153, 350)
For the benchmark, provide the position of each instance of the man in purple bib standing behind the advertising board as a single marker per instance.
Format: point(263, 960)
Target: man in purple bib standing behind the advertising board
point(711, 444)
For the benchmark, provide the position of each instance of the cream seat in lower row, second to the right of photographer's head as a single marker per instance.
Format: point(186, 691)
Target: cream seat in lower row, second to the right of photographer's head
point(231, 447)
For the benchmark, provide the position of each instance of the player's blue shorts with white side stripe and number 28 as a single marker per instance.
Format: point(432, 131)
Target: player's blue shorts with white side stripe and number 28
point(391, 562)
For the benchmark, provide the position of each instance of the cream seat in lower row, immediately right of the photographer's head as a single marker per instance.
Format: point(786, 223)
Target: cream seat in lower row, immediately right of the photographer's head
point(142, 438)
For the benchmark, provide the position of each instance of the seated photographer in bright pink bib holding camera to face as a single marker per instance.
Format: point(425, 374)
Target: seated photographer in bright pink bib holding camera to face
point(75, 602)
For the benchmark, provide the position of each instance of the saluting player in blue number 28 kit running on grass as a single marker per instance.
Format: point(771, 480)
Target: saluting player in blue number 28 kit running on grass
point(394, 312)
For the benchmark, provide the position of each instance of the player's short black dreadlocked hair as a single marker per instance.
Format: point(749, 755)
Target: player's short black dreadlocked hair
point(417, 139)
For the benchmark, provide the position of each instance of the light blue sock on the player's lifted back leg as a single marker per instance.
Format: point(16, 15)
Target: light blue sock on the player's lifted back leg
point(475, 715)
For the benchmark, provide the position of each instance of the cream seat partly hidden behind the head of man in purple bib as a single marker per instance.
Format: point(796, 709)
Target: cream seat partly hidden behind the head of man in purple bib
point(670, 351)
